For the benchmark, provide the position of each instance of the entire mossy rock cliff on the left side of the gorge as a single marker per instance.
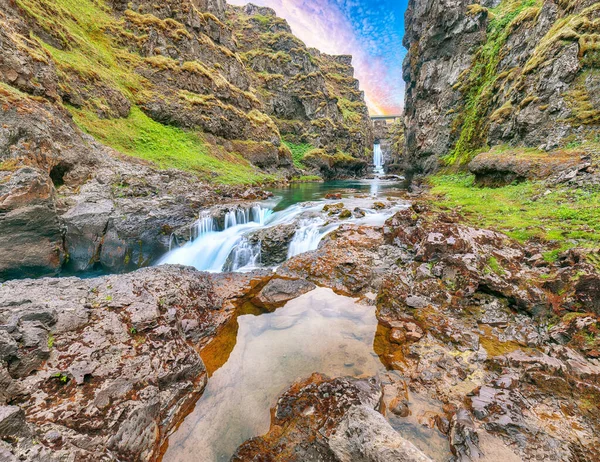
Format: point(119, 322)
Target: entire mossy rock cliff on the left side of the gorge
point(120, 120)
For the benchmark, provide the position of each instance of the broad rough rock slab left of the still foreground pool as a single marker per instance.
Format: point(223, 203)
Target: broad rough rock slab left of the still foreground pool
point(102, 368)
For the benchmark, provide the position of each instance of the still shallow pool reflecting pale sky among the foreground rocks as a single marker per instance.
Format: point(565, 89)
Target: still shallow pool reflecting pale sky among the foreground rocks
point(318, 332)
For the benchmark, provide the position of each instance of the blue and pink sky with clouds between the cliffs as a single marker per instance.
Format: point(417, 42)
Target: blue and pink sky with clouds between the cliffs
point(370, 30)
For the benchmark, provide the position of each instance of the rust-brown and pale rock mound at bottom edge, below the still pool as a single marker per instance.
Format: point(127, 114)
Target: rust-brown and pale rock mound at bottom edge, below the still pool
point(330, 420)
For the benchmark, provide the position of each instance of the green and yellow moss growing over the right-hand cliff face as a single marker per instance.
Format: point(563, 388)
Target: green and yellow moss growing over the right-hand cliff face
point(492, 94)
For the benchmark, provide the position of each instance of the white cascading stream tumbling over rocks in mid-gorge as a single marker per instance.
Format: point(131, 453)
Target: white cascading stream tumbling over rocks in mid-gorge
point(226, 243)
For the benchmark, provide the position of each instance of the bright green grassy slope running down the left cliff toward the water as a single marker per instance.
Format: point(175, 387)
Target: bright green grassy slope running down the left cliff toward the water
point(94, 56)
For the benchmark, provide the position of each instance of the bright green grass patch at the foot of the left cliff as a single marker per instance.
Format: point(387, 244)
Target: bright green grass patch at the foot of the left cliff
point(167, 147)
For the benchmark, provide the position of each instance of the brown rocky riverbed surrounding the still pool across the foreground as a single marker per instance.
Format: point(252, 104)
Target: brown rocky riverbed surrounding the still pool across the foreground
point(486, 351)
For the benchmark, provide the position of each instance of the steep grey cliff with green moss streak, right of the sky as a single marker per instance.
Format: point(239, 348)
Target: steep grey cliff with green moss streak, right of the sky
point(500, 72)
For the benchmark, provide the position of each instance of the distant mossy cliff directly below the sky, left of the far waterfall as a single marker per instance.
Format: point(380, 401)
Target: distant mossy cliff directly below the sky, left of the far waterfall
point(312, 97)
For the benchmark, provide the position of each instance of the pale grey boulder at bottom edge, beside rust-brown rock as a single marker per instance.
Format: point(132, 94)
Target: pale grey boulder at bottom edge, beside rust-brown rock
point(364, 435)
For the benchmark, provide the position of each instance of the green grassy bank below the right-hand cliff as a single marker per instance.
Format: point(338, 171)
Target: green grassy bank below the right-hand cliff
point(525, 211)
